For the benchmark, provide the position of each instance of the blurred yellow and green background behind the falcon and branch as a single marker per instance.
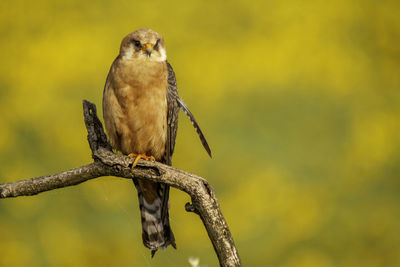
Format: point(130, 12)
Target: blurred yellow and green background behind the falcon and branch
point(299, 101)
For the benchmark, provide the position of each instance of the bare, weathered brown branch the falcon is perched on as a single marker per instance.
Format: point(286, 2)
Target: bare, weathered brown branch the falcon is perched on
point(107, 163)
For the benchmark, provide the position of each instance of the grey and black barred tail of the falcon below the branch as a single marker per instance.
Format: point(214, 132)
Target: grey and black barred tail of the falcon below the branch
point(153, 203)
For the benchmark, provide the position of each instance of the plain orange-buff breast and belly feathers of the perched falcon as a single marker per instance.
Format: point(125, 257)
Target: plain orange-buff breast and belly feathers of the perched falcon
point(141, 93)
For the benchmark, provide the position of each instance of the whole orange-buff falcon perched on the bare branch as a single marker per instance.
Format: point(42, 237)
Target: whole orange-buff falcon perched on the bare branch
point(140, 109)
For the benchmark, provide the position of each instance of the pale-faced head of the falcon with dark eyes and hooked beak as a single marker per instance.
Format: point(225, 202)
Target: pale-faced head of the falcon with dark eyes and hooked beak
point(143, 44)
